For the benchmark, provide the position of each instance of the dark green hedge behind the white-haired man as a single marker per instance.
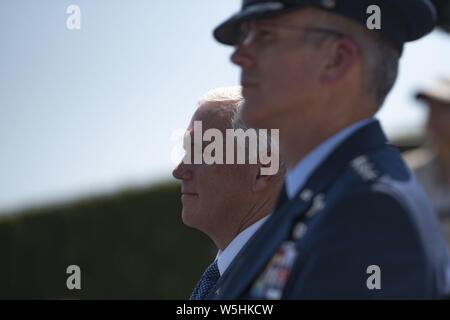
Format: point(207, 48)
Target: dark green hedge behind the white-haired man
point(130, 245)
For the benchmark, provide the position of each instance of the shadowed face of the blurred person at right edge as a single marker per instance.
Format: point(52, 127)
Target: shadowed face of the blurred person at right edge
point(439, 122)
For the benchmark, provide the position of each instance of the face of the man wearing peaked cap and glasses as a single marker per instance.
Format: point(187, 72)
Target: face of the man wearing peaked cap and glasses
point(279, 72)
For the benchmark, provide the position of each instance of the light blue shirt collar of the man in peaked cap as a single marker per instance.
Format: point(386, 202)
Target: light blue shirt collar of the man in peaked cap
point(296, 177)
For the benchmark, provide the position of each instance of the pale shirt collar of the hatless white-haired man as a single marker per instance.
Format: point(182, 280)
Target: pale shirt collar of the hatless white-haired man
point(225, 257)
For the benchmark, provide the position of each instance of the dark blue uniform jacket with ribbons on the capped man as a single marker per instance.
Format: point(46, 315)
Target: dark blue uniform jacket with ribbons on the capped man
point(361, 207)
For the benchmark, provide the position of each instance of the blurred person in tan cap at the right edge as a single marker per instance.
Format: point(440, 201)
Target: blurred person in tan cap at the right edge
point(431, 164)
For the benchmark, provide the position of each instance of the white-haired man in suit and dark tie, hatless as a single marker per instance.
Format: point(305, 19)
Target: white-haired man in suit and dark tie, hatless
point(227, 202)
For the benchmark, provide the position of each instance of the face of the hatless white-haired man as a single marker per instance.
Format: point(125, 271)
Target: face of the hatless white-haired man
point(212, 194)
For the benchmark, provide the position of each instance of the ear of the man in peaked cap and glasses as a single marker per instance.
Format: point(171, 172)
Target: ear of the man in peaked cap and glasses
point(342, 56)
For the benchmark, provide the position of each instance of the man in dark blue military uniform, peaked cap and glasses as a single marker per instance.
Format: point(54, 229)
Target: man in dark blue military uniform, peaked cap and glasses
point(351, 221)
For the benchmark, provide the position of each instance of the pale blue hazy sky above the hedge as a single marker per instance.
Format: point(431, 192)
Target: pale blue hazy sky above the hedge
point(91, 111)
